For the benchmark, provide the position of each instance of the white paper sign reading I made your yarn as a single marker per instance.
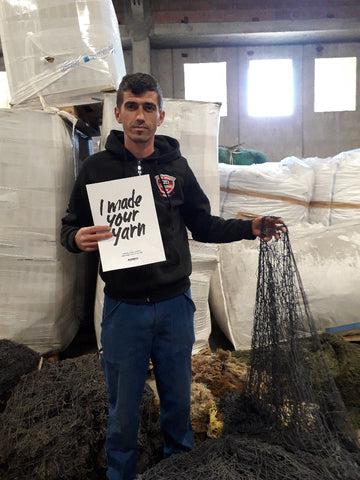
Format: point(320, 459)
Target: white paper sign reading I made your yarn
point(127, 206)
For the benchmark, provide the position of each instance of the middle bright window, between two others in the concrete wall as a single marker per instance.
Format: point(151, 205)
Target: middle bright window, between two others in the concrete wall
point(270, 88)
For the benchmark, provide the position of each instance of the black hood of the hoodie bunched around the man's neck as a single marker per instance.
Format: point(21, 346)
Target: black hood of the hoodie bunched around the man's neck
point(166, 148)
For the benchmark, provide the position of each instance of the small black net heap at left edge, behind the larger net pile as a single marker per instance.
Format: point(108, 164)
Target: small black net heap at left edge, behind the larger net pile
point(15, 360)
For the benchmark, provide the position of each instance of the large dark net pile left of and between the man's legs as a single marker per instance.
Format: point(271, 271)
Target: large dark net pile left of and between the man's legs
point(54, 424)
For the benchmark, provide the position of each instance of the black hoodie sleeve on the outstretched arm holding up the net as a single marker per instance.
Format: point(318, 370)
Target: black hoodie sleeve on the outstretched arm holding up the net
point(204, 226)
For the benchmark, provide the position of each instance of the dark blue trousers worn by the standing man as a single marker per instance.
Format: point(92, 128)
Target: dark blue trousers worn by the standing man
point(131, 335)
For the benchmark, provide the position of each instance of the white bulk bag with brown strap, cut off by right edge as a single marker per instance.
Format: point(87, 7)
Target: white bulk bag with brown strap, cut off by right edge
point(336, 195)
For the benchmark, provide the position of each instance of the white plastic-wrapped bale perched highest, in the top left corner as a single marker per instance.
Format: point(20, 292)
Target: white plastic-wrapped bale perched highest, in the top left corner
point(66, 51)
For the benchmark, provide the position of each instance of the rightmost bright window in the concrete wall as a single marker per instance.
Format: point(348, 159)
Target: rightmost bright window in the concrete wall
point(335, 84)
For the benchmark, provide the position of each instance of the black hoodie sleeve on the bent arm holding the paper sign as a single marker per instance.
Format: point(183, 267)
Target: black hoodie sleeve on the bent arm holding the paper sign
point(78, 215)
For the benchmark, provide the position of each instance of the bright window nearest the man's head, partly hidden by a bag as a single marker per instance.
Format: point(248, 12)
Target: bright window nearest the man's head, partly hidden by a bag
point(206, 82)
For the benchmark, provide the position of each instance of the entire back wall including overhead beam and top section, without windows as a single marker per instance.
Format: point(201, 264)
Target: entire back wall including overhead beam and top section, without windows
point(160, 36)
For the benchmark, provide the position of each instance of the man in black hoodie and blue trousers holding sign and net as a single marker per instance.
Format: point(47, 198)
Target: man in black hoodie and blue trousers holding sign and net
point(148, 311)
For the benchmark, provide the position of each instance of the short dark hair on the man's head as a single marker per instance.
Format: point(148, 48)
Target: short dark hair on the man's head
point(139, 83)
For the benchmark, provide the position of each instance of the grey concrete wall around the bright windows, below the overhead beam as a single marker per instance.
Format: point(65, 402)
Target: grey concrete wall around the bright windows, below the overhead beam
point(304, 134)
